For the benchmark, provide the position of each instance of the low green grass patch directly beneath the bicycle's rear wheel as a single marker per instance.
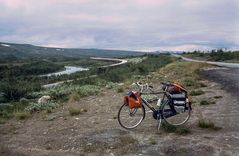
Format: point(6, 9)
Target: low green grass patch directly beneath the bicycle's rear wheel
point(181, 130)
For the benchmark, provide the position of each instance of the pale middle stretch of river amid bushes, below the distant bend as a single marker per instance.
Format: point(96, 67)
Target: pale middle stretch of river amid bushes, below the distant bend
point(68, 70)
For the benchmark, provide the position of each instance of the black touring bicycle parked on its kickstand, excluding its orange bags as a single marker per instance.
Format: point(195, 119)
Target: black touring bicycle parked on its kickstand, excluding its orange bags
point(174, 109)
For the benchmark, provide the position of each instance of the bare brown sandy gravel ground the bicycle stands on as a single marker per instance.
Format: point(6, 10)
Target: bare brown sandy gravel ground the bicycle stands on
point(97, 132)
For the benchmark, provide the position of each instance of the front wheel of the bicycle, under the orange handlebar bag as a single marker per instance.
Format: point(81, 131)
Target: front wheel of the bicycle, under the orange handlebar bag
point(130, 118)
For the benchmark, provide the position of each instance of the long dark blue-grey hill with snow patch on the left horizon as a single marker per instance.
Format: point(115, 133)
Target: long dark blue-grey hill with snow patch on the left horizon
point(22, 51)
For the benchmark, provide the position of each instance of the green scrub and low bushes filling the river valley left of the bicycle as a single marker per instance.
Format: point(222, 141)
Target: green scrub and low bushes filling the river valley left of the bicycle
point(21, 85)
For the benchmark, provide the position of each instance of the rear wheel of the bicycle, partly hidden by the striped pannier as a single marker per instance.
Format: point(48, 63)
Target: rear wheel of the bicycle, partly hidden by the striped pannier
point(175, 117)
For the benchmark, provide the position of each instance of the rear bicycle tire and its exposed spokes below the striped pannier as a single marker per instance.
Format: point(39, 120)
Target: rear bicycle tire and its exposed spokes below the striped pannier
point(176, 120)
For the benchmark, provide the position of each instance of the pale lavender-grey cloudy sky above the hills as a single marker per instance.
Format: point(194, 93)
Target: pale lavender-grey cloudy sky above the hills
point(145, 25)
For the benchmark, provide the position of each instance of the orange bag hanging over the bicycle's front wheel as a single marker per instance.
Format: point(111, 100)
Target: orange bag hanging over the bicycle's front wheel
point(133, 100)
